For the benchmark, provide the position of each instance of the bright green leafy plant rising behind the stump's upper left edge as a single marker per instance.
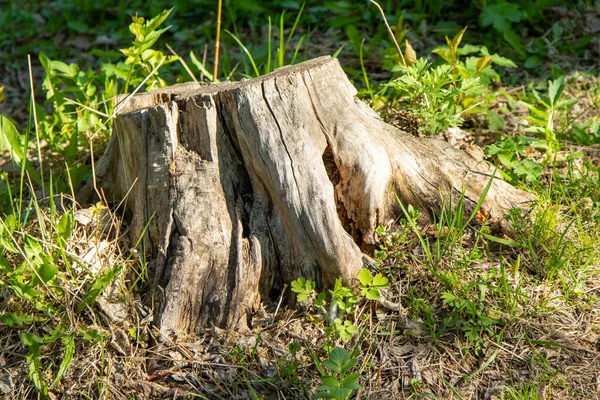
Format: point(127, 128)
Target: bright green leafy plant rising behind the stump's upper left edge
point(83, 99)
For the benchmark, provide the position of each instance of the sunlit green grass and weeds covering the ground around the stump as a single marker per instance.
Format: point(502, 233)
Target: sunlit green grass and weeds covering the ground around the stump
point(465, 313)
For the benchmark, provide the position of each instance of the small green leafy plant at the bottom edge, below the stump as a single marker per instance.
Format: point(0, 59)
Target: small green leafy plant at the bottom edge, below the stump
point(340, 384)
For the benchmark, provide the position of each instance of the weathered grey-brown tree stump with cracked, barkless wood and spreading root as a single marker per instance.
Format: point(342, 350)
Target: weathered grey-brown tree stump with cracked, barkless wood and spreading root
point(246, 186)
